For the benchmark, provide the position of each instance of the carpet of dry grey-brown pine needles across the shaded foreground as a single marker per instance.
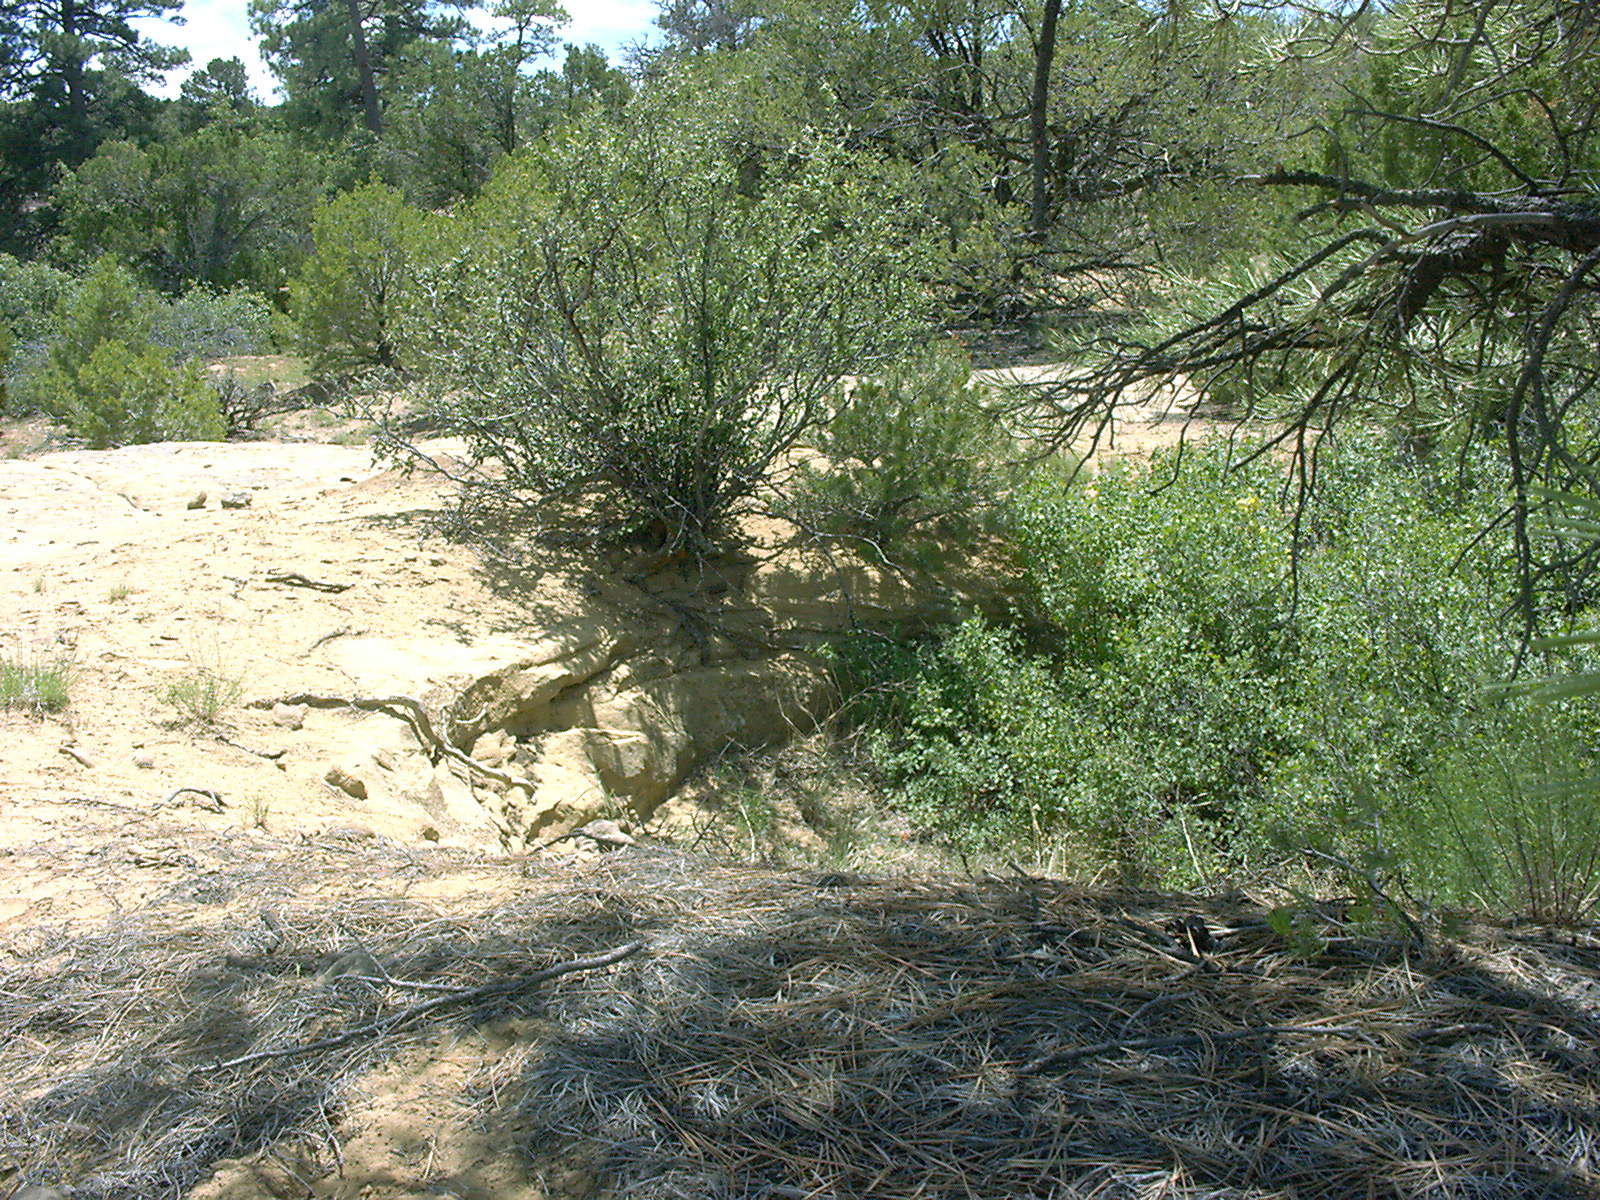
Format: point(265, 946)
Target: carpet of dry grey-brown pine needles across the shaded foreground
point(810, 1036)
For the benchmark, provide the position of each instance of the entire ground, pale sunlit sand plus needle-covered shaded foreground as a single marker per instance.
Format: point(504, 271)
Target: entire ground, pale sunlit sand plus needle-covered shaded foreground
point(226, 975)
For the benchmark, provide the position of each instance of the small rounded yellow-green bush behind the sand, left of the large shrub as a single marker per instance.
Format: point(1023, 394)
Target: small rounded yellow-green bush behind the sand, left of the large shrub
point(348, 297)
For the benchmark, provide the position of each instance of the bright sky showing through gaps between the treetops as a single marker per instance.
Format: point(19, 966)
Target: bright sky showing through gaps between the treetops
point(222, 30)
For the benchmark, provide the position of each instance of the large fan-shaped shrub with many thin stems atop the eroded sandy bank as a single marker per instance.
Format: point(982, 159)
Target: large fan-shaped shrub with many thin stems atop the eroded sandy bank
point(646, 321)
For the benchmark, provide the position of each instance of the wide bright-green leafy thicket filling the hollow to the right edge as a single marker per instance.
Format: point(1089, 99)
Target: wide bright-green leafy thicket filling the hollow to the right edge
point(1166, 698)
